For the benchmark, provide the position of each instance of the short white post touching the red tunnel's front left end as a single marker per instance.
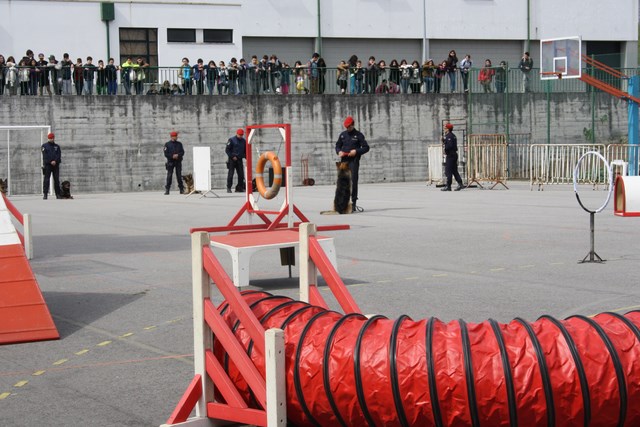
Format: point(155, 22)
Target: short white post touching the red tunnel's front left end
point(275, 378)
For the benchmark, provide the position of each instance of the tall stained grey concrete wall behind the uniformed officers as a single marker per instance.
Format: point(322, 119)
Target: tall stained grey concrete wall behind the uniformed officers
point(115, 143)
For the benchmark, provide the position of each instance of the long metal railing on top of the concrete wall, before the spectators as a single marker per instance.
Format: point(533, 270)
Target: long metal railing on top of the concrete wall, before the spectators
point(169, 80)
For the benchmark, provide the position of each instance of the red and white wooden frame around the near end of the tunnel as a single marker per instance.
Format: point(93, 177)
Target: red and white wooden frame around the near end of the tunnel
point(267, 383)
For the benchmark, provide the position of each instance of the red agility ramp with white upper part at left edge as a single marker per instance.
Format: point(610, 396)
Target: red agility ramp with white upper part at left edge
point(24, 315)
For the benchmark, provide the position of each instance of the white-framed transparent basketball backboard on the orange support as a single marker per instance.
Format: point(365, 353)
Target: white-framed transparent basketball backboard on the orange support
point(561, 58)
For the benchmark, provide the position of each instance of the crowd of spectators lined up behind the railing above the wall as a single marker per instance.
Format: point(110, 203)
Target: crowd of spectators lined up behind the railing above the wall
point(31, 76)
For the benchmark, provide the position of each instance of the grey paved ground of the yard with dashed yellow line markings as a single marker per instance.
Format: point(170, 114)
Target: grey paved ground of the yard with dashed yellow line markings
point(115, 271)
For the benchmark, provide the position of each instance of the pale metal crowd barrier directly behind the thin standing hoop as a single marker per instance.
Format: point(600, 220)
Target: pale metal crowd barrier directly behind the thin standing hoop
point(554, 164)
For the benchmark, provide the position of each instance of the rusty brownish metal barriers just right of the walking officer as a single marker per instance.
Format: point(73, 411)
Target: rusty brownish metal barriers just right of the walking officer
point(487, 159)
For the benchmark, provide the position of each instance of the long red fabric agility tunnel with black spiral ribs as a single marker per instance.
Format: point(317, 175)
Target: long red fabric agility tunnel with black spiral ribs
point(350, 370)
